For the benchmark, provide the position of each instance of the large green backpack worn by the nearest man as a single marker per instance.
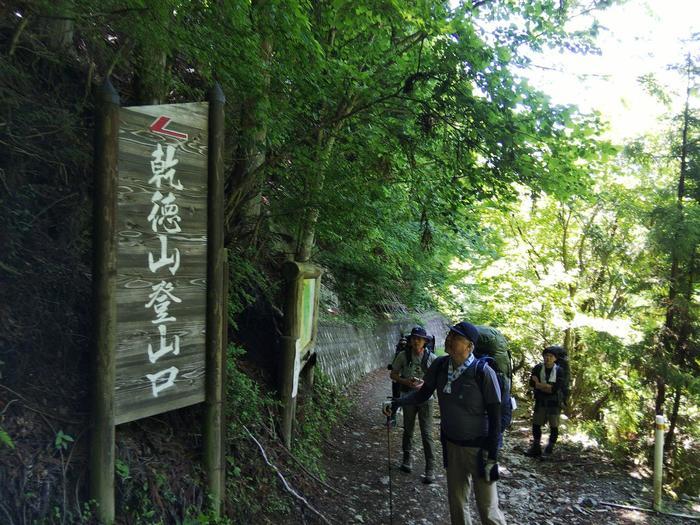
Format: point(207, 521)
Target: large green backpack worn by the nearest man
point(492, 349)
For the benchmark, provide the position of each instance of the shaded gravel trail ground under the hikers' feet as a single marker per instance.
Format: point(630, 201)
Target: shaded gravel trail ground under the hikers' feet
point(571, 487)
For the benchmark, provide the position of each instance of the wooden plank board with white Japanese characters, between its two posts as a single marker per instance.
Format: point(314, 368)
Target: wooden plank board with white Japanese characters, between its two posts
point(161, 259)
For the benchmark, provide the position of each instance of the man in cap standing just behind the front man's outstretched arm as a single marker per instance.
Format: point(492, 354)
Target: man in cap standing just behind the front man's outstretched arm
point(408, 370)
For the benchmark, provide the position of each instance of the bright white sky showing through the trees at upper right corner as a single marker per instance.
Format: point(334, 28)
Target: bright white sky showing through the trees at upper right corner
point(639, 37)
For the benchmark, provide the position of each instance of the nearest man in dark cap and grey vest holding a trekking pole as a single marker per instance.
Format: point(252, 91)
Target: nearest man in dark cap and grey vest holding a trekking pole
point(470, 422)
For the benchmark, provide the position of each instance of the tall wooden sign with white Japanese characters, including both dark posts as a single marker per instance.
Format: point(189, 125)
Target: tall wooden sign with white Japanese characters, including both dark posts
point(158, 274)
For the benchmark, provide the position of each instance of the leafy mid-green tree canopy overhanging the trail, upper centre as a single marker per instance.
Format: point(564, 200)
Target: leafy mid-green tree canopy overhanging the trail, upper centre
point(416, 138)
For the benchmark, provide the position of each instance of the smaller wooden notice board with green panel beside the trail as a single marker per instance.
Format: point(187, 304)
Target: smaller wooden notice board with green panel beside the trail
point(301, 323)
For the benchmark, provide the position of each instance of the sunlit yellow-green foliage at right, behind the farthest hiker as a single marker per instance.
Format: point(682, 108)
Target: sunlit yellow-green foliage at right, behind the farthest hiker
point(610, 273)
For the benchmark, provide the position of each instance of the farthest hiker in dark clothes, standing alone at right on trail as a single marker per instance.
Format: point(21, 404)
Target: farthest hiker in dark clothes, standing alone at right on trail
point(547, 381)
